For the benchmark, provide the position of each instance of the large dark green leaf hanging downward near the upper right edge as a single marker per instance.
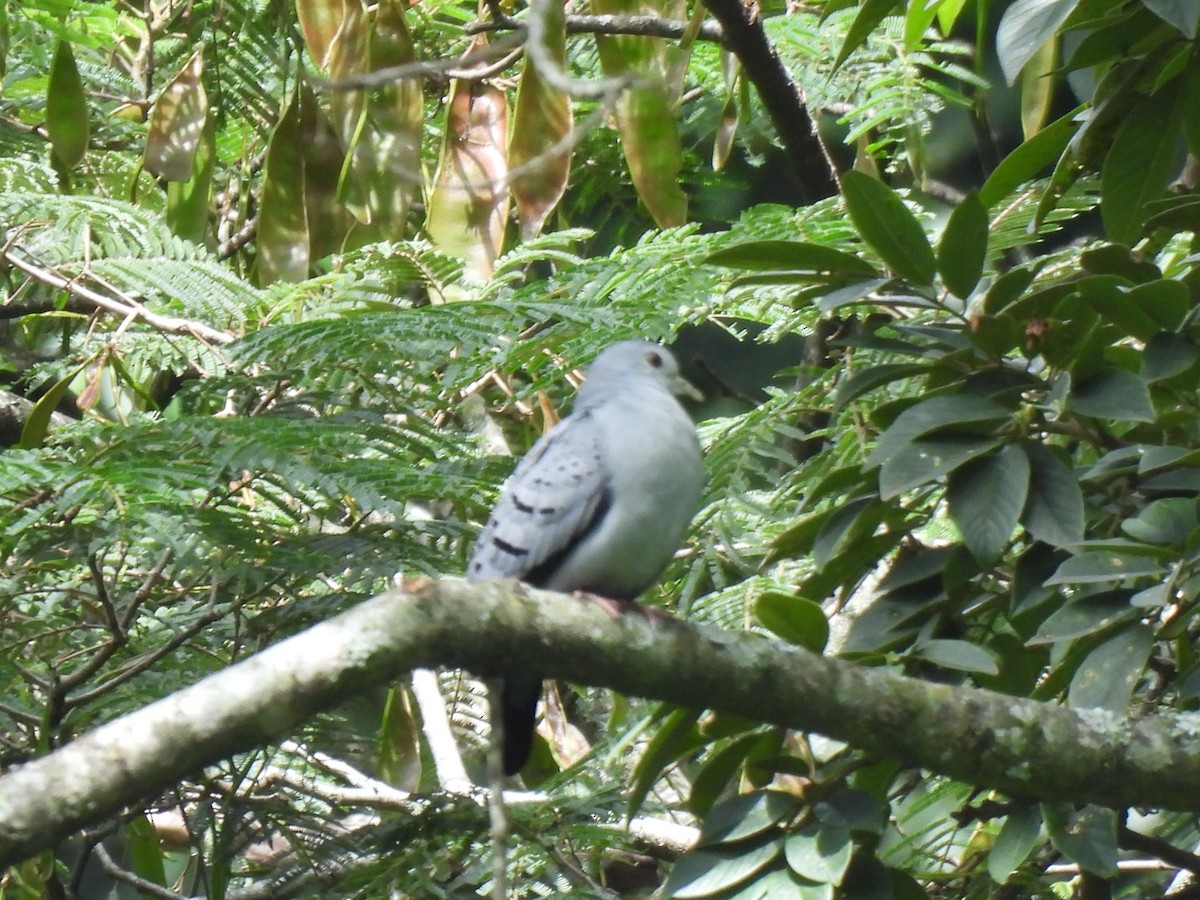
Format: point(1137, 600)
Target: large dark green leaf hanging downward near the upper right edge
point(1141, 163)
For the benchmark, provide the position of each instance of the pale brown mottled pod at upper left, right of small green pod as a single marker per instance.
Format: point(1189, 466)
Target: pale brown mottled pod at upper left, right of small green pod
point(177, 123)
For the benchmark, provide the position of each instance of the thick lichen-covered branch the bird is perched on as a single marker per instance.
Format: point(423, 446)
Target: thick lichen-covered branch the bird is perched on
point(1013, 745)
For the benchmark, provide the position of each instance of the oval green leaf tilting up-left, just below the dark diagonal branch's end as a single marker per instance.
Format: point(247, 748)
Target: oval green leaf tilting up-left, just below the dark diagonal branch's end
point(887, 225)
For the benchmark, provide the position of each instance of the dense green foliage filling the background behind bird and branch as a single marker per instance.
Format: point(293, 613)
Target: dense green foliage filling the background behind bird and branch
point(272, 332)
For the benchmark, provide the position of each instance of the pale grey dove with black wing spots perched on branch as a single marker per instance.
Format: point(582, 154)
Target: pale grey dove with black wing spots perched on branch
point(599, 505)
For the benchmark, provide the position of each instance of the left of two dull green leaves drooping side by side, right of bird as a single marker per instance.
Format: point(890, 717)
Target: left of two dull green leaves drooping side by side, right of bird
point(986, 501)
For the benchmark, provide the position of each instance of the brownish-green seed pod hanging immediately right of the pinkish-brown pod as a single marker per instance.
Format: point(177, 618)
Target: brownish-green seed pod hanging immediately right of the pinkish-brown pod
point(539, 148)
